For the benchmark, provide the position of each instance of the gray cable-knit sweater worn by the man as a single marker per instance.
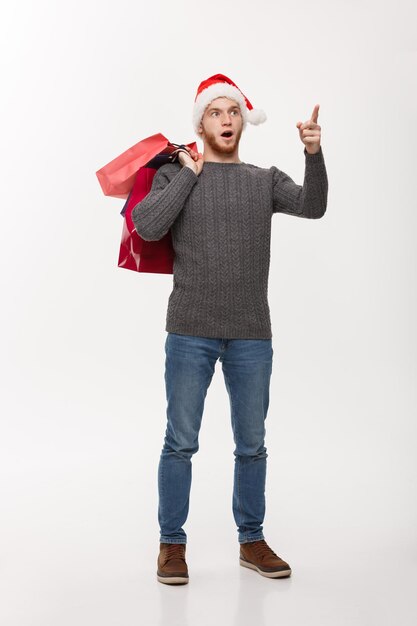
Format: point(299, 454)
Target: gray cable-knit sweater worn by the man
point(220, 225)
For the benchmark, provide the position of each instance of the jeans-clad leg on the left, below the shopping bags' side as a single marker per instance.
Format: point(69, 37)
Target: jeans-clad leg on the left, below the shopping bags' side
point(189, 367)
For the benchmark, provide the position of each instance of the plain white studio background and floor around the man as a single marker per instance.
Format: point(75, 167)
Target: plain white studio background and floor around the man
point(82, 341)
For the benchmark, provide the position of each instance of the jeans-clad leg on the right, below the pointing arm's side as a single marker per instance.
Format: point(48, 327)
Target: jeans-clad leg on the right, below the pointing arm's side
point(247, 369)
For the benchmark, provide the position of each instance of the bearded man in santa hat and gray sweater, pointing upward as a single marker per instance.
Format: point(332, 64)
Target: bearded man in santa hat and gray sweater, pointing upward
point(219, 211)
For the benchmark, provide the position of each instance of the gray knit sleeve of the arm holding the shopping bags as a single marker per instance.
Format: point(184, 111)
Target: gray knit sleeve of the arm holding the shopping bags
point(154, 215)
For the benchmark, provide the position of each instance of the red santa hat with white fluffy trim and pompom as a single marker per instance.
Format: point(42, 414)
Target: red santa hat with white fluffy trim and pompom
point(218, 86)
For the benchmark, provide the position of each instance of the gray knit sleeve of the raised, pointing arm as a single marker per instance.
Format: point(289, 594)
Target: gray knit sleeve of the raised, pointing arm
point(308, 200)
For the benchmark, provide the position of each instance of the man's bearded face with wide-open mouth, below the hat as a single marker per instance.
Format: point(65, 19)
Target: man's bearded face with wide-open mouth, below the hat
point(222, 116)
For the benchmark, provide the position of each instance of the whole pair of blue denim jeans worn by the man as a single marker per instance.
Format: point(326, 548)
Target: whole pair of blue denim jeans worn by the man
point(189, 367)
